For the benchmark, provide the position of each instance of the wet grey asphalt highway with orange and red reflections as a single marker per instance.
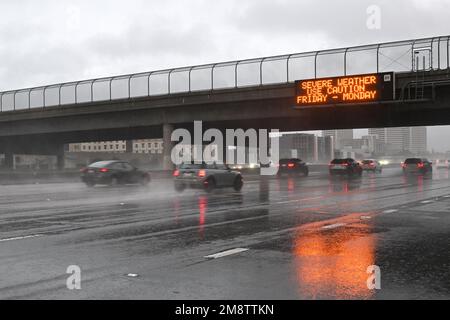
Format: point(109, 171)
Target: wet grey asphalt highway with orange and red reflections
point(307, 238)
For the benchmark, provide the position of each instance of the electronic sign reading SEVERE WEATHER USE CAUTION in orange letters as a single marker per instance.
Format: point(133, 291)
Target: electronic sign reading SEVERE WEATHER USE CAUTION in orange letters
point(345, 90)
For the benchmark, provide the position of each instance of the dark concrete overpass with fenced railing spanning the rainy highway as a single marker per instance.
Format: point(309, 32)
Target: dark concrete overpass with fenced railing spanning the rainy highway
point(253, 93)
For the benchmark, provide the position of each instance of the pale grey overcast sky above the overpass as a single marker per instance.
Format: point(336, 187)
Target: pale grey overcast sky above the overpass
point(47, 41)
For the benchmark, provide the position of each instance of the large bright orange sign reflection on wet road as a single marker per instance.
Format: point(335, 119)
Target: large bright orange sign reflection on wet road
point(334, 263)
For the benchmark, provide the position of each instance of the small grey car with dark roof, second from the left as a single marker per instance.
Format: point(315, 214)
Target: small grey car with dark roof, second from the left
point(206, 176)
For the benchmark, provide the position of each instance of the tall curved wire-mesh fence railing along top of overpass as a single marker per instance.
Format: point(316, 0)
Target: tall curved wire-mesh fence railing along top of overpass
point(401, 56)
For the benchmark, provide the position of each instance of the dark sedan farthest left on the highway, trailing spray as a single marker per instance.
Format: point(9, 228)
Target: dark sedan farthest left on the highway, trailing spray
point(113, 172)
